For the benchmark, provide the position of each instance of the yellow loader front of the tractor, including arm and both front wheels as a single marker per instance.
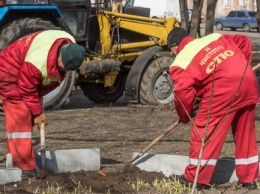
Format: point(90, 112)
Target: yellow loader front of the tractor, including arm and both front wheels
point(130, 50)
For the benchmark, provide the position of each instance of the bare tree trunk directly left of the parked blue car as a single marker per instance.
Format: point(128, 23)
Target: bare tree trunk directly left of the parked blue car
point(209, 24)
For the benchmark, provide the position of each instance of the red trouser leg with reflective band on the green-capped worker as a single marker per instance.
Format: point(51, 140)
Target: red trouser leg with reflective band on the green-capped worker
point(19, 133)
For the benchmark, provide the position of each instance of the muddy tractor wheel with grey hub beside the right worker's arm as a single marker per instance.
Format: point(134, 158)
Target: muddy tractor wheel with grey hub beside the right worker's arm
point(156, 86)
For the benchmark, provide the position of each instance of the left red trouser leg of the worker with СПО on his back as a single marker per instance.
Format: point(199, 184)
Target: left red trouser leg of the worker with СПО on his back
point(211, 150)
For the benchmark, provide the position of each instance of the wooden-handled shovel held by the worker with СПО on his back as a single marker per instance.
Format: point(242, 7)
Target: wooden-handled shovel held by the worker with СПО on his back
point(170, 128)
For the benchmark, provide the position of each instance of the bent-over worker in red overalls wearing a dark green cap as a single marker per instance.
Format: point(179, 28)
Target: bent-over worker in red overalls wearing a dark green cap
point(30, 68)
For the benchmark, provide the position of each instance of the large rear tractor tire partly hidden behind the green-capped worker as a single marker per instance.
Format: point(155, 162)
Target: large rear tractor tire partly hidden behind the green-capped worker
point(19, 28)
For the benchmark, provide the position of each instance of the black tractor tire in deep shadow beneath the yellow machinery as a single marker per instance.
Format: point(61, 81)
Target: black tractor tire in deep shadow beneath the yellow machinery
point(97, 93)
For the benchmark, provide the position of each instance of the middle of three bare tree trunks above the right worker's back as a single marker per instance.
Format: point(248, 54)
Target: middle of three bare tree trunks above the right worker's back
point(196, 17)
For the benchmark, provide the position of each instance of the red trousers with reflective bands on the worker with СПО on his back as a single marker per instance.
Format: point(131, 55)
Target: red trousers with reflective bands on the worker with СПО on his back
point(246, 154)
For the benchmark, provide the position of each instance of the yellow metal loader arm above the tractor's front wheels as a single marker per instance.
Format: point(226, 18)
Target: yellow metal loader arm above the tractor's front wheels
point(158, 29)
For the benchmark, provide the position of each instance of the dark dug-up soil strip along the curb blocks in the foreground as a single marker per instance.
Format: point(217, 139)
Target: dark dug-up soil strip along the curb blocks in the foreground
point(96, 181)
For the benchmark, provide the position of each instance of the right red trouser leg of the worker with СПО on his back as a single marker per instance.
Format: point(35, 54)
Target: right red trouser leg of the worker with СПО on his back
point(243, 128)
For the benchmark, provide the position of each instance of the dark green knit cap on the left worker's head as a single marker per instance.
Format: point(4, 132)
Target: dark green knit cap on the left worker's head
point(72, 56)
